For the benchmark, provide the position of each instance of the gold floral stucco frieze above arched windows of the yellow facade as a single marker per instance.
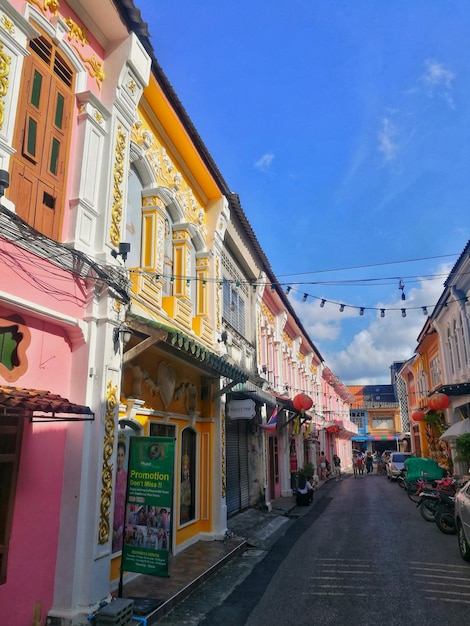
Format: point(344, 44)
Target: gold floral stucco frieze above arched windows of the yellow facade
point(168, 175)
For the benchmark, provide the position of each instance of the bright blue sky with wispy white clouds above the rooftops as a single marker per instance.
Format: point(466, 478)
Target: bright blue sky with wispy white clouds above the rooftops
point(344, 128)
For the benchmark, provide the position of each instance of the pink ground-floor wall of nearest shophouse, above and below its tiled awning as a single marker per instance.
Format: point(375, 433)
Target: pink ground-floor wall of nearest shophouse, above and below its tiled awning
point(50, 357)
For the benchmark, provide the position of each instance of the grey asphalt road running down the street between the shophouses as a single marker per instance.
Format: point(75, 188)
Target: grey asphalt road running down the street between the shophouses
point(362, 555)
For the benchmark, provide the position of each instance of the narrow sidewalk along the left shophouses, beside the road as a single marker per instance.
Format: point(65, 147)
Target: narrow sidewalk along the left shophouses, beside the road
point(253, 528)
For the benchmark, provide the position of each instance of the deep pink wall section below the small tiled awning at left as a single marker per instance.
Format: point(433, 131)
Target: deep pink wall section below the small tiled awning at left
point(33, 545)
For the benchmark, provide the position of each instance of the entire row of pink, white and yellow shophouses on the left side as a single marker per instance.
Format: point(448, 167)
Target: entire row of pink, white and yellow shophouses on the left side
point(134, 300)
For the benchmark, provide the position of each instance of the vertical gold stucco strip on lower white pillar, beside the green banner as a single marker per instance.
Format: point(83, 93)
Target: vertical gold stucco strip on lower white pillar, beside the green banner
point(107, 467)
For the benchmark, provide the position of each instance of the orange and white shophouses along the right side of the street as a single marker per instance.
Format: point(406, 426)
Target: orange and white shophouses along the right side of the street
point(437, 377)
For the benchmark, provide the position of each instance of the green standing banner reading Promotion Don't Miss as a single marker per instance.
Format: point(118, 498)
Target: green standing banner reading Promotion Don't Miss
point(146, 543)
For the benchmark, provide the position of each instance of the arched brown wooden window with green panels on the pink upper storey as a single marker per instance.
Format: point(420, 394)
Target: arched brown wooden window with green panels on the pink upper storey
point(42, 138)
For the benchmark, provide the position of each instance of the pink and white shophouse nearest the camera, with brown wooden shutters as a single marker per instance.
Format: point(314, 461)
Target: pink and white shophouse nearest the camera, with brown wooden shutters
point(70, 82)
